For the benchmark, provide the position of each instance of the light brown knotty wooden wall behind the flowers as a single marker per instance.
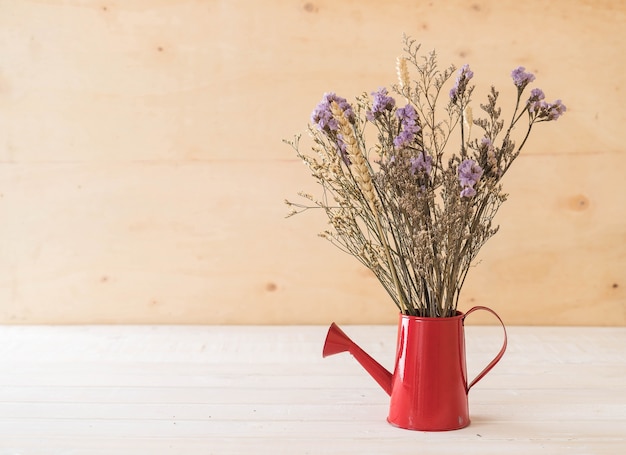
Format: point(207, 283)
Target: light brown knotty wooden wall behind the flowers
point(142, 174)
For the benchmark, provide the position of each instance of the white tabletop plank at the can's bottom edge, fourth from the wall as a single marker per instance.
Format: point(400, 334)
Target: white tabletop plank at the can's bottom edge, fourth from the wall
point(208, 429)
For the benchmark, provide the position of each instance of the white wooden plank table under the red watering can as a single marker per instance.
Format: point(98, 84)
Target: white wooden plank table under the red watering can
point(266, 390)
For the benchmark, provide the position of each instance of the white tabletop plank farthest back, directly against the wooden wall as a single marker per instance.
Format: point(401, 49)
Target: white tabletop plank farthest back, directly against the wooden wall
point(205, 345)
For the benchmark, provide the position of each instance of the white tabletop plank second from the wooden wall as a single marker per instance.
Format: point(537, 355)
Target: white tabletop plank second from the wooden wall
point(318, 376)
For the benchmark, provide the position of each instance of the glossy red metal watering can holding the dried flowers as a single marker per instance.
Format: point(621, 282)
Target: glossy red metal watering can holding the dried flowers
point(429, 385)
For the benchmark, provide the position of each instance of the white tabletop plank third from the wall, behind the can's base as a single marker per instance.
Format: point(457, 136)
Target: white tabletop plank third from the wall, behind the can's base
point(537, 404)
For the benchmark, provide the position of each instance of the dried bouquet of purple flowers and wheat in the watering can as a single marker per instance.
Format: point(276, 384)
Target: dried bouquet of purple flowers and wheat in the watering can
point(409, 210)
